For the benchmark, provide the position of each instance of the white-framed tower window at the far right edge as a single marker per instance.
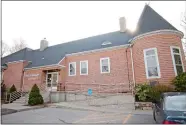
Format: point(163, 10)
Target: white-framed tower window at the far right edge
point(177, 60)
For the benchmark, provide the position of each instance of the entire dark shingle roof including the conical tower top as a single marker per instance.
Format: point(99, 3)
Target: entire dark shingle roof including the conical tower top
point(148, 21)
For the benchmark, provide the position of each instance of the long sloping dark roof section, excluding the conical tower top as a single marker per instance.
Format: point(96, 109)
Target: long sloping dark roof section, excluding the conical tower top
point(53, 54)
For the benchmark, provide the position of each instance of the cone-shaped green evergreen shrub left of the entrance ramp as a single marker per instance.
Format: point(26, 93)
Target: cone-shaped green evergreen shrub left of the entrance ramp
point(35, 97)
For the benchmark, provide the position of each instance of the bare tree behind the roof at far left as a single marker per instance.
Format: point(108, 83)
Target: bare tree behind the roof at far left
point(18, 45)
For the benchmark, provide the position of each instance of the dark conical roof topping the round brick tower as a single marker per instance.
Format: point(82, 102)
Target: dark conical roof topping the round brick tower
point(150, 21)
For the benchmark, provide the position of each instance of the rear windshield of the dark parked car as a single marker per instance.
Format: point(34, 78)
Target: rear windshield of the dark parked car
point(175, 103)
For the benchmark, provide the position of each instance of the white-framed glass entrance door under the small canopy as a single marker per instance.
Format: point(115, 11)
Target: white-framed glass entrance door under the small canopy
point(52, 80)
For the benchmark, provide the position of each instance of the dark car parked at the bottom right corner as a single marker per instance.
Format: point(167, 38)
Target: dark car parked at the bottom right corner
point(170, 109)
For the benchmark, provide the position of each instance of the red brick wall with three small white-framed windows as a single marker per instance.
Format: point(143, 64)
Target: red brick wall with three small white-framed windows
point(118, 69)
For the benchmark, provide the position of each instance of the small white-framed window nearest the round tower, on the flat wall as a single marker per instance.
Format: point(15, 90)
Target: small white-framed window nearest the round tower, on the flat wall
point(105, 65)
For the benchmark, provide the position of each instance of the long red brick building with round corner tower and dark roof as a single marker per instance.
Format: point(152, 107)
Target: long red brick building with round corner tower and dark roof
point(153, 53)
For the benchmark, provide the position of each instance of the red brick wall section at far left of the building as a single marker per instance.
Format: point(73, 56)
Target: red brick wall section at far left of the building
point(13, 74)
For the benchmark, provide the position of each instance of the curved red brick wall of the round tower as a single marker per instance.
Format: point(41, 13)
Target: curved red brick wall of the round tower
point(162, 42)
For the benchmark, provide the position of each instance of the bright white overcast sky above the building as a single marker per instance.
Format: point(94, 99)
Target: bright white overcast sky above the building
point(63, 21)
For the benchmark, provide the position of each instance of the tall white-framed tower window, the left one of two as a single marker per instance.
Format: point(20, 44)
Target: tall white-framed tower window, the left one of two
point(152, 67)
